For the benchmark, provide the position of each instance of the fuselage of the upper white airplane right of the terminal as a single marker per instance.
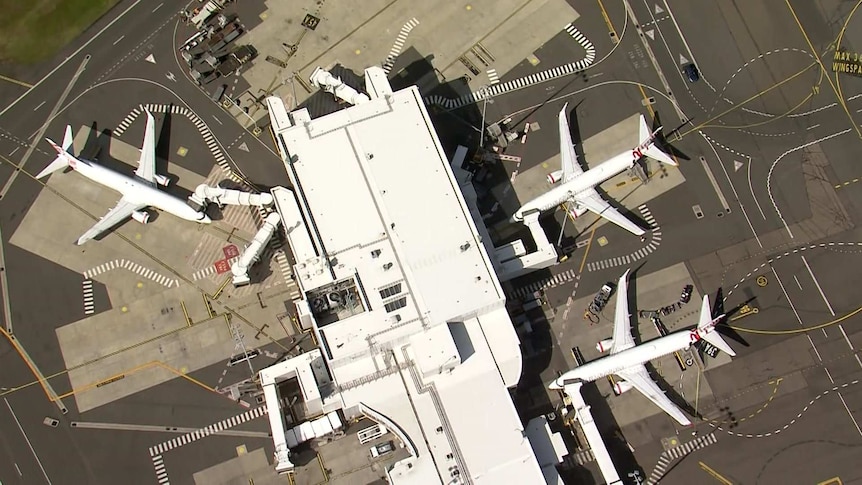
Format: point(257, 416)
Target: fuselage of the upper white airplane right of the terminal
point(585, 181)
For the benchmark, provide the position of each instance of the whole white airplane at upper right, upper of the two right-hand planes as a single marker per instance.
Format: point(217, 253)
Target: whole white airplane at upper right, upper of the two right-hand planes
point(578, 187)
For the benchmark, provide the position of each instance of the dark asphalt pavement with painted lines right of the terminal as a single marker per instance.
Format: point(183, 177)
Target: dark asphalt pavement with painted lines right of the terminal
point(777, 182)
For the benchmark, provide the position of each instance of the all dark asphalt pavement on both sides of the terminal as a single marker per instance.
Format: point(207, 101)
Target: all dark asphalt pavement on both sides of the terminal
point(769, 158)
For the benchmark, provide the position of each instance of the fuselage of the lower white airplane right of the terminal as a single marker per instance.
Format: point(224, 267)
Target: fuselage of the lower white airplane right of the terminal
point(636, 355)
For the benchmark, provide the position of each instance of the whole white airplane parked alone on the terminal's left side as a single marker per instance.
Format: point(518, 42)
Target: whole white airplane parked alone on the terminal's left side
point(139, 191)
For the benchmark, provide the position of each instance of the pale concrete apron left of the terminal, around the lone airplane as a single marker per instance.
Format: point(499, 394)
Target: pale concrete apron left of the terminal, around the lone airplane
point(163, 321)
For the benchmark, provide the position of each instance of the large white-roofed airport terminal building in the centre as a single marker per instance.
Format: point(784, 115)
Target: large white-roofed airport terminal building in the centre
point(399, 288)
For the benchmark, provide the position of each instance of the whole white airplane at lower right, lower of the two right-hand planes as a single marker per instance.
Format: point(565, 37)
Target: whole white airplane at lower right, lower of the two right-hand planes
point(626, 359)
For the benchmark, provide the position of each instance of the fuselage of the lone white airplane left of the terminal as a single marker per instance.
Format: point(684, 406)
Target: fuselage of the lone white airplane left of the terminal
point(135, 190)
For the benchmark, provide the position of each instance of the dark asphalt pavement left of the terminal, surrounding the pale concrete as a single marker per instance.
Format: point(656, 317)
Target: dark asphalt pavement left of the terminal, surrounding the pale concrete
point(128, 58)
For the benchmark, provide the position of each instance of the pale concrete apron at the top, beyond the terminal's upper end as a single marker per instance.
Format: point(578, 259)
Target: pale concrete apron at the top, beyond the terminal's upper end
point(483, 38)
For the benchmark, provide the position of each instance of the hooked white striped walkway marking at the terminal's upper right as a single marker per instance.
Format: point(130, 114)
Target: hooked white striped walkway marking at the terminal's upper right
point(526, 81)
